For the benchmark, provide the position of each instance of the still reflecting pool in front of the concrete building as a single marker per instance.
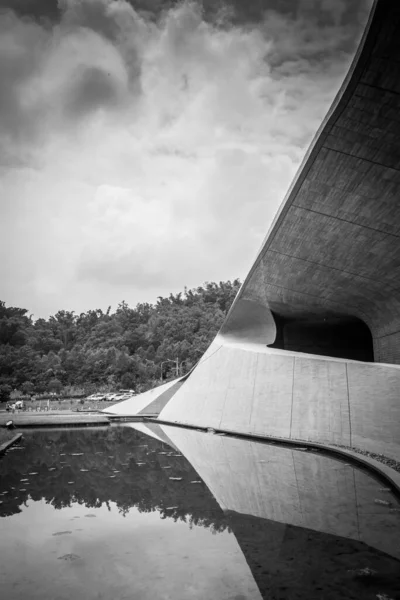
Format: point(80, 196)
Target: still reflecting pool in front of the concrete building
point(144, 511)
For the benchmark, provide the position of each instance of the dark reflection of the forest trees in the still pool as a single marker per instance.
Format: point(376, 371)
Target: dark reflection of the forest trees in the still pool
point(117, 465)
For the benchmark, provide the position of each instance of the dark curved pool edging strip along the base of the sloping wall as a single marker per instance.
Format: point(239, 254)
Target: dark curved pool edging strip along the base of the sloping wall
point(385, 473)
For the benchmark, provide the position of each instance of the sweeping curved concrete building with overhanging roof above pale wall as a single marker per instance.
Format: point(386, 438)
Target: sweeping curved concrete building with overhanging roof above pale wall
point(311, 346)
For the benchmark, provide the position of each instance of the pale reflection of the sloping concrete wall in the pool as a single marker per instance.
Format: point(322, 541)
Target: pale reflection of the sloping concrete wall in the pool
point(288, 486)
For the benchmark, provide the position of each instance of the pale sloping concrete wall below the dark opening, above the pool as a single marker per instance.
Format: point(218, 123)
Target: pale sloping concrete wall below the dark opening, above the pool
point(259, 390)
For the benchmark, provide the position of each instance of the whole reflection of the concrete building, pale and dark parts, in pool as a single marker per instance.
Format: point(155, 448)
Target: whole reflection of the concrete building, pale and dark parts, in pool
point(306, 523)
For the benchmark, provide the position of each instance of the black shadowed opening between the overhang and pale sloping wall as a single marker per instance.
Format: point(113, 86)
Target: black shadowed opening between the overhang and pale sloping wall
point(341, 337)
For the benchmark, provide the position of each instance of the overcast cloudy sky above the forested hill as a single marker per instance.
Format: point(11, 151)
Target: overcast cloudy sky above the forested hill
point(146, 145)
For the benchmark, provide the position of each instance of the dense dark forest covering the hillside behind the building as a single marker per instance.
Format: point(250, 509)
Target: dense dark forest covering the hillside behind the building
point(131, 348)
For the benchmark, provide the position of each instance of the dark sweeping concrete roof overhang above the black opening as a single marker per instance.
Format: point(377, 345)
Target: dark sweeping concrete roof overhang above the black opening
point(333, 249)
